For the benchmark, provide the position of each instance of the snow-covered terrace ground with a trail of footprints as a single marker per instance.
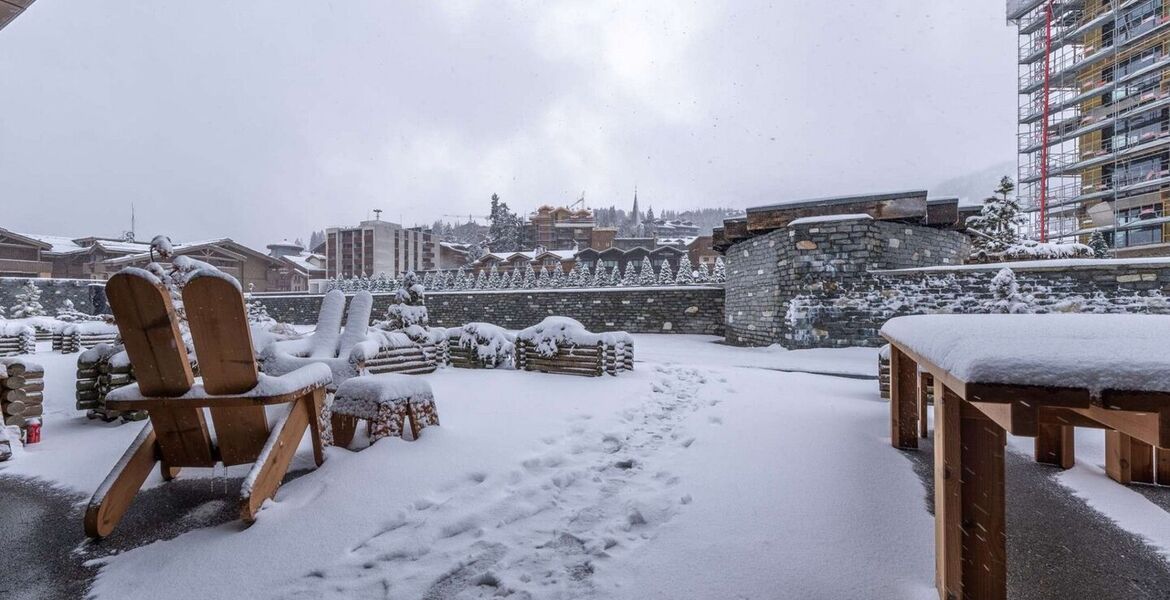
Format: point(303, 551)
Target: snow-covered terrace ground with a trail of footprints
point(708, 472)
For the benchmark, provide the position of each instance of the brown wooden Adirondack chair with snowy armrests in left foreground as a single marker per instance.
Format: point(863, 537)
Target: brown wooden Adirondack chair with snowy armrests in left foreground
point(232, 392)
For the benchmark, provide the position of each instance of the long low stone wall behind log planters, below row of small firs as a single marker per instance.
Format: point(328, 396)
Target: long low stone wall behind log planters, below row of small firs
point(697, 309)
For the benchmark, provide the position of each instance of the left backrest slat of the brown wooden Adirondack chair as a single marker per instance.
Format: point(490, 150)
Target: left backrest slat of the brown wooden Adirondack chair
point(146, 316)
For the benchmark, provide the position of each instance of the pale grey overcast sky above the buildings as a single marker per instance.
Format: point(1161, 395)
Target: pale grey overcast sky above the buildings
point(266, 120)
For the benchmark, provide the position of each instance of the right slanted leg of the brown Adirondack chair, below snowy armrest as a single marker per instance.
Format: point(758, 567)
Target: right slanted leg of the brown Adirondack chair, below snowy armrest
point(267, 474)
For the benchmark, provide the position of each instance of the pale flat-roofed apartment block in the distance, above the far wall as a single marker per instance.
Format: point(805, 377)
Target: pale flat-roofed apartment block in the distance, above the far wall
point(377, 247)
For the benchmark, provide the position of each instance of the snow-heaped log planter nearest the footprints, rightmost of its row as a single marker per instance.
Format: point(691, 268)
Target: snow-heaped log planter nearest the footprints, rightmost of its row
point(563, 346)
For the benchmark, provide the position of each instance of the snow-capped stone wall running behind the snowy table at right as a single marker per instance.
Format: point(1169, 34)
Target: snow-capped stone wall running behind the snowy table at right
point(835, 314)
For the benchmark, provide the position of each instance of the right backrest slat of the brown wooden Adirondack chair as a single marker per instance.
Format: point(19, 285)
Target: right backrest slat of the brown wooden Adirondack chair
point(219, 330)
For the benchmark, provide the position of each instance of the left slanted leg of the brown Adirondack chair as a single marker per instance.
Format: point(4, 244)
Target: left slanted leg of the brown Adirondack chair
point(118, 492)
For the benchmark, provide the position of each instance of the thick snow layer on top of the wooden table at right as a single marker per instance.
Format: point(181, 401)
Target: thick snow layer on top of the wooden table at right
point(1089, 351)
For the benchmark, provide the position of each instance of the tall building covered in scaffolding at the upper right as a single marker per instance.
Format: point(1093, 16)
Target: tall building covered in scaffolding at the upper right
point(1095, 121)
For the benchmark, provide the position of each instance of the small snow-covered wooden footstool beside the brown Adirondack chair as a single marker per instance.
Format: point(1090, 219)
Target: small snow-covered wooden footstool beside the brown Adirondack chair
point(384, 402)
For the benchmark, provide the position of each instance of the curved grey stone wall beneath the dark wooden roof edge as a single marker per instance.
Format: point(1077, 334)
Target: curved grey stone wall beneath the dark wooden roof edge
point(765, 273)
